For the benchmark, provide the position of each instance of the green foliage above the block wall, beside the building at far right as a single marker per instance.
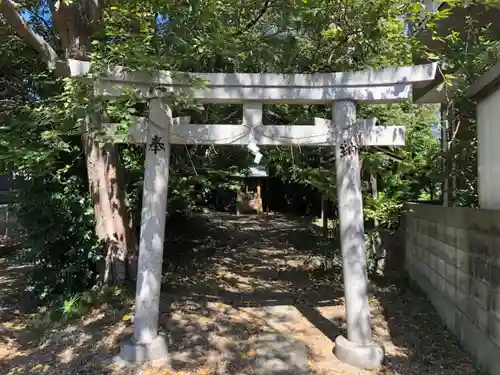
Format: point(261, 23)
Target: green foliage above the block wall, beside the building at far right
point(467, 51)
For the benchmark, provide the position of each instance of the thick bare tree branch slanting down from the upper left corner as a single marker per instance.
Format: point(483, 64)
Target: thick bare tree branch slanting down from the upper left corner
point(8, 10)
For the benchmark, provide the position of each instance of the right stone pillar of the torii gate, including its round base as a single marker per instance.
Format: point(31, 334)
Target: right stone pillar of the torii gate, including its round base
point(358, 349)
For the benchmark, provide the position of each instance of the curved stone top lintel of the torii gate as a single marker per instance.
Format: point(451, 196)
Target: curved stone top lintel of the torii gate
point(381, 86)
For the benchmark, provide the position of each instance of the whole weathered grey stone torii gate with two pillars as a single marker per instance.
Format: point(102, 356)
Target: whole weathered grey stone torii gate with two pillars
point(341, 90)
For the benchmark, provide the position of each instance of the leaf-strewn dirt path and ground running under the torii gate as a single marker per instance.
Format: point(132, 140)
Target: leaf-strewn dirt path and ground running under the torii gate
point(242, 277)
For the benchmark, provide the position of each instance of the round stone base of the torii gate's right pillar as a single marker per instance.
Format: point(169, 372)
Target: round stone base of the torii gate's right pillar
point(364, 356)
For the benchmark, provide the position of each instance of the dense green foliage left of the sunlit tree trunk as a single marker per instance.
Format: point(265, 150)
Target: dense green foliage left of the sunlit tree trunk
point(53, 208)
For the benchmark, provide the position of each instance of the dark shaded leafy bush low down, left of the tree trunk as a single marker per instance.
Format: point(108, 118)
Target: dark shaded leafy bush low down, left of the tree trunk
point(57, 226)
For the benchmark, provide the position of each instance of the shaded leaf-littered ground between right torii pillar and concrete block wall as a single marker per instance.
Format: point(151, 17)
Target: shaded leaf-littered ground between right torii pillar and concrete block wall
point(422, 343)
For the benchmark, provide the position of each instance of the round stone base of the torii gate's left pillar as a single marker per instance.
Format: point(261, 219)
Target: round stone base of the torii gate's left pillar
point(133, 352)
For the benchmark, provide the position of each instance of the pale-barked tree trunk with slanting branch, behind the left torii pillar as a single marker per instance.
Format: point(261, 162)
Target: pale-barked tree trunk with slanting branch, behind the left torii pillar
point(75, 23)
